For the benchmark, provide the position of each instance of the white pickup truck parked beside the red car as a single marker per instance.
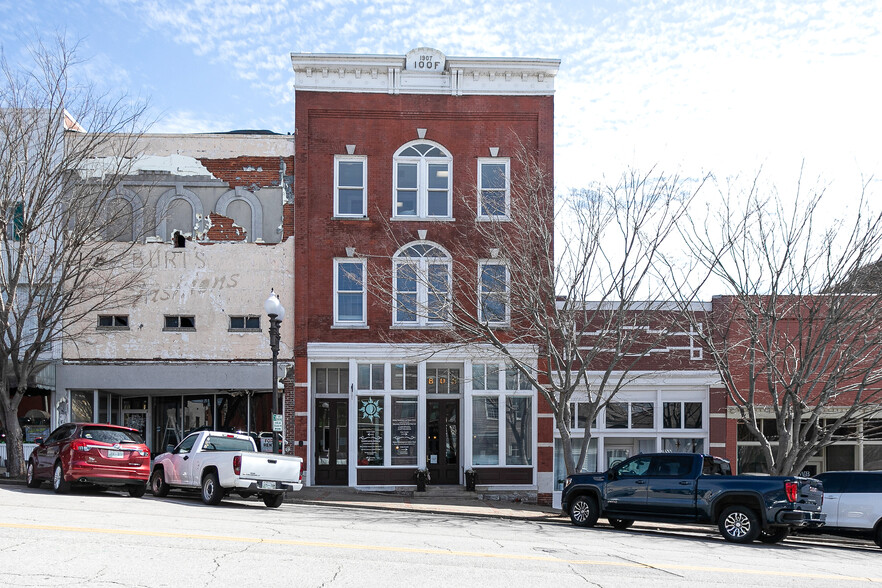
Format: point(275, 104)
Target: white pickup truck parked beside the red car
point(219, 463)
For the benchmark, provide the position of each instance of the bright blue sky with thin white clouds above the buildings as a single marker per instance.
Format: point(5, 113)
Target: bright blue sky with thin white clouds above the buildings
point(689, 86)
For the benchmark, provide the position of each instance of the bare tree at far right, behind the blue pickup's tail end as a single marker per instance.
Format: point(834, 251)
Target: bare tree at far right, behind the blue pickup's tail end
point(792, 338)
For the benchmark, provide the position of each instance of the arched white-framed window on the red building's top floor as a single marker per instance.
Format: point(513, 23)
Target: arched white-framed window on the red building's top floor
point(423, 176)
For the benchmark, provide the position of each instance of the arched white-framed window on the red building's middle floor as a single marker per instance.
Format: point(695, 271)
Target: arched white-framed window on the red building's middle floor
point(422, 284)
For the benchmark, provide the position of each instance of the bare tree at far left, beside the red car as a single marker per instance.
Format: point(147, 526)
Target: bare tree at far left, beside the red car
point(57, 214)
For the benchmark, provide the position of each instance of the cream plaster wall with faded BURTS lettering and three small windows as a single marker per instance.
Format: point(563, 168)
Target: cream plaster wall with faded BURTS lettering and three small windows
point(209, 282)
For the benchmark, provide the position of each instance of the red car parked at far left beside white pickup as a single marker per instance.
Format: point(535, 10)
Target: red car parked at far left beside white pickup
point(91, 453)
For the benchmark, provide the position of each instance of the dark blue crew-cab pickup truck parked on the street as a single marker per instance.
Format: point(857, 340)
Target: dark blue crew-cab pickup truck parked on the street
point(694, 488)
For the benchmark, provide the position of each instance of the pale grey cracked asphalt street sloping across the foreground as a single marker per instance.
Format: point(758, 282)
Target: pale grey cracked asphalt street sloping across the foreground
point(103, 539)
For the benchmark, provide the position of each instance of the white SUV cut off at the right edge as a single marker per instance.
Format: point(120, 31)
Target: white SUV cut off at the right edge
point(853, 503)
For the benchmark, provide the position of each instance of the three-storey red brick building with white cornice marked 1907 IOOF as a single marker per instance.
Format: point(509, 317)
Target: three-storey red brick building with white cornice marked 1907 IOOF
point(396, 156)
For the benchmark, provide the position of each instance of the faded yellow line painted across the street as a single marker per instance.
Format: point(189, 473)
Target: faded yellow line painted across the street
point(506, 556)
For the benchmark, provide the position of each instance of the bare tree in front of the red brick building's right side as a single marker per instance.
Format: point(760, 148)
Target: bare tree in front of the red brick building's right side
point(531, 300)
